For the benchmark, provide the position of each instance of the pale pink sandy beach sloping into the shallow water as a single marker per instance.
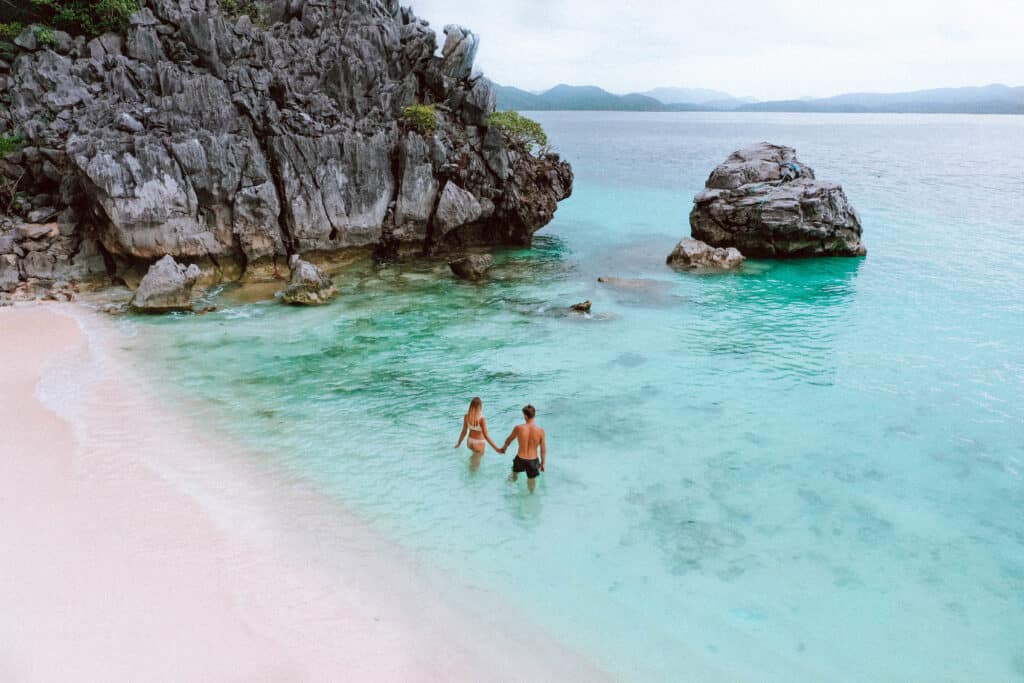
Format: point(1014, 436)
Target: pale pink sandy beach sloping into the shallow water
point(139, 548)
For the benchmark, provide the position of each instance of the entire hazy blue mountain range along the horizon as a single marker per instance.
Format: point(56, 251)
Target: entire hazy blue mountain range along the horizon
point(987, 100)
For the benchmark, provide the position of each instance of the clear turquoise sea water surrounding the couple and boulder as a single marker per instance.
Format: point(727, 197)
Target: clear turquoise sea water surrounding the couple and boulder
point(805, 472)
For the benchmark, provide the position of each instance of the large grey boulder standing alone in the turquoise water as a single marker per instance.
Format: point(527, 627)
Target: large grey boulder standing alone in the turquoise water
point(767, 204)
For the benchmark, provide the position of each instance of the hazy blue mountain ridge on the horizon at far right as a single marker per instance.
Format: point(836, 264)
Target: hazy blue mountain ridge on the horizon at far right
point(988, 100)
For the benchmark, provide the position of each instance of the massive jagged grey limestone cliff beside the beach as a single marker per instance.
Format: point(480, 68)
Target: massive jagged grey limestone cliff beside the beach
point(204, 137)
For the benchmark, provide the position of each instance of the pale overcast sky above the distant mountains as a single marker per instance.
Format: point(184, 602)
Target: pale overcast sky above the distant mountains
point(762, 49)
